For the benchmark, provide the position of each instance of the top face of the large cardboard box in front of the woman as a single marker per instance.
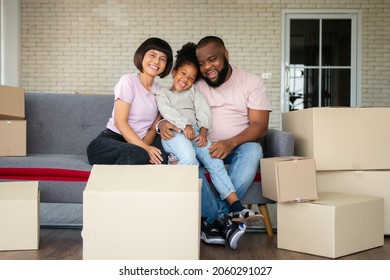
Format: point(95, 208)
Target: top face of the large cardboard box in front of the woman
point(143, 178)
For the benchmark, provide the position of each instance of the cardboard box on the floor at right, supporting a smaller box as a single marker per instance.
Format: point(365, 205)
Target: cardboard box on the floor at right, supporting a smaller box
point(335, 225)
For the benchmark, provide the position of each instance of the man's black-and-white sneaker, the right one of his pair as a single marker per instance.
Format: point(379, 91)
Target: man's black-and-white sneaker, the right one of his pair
point(230, 230)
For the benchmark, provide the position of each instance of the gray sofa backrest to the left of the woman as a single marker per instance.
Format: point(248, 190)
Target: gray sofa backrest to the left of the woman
point(65, 123)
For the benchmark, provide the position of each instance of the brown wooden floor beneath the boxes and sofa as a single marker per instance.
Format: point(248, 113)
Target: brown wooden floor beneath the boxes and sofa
point(66, 244)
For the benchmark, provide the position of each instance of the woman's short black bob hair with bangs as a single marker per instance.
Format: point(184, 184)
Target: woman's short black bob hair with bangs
point(158, 45)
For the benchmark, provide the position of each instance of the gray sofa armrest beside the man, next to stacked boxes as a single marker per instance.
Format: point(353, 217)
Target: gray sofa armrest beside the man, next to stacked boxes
point(278, 143)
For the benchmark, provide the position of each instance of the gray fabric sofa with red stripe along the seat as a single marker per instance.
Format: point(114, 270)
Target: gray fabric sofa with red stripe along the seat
point(59, 128)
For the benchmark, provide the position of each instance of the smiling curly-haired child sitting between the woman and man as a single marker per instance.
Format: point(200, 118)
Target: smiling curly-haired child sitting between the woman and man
point(186, 108)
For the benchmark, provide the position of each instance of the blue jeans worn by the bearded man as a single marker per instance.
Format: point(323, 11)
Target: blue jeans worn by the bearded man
point(244, 163)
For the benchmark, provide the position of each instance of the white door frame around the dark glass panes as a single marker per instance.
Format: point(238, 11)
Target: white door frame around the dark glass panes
point(354, 15)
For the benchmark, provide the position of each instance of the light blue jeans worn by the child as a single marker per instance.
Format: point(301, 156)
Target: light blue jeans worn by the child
point(188, 153)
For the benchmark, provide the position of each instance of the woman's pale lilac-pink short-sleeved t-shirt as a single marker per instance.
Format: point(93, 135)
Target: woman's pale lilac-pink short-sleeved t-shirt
point(143, 110)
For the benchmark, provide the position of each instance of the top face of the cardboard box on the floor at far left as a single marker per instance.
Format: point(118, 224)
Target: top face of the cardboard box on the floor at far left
point(19, 190)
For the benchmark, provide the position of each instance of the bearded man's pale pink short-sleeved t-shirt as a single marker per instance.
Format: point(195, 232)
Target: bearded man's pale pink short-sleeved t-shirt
point(229, 103)
